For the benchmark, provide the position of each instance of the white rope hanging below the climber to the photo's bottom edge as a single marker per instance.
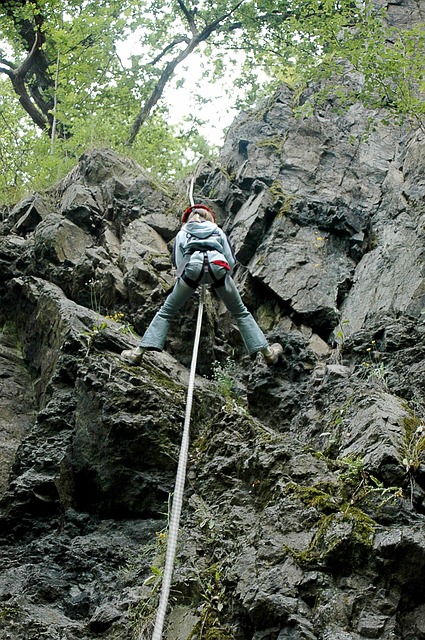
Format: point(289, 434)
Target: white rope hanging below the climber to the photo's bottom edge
point(173, 529)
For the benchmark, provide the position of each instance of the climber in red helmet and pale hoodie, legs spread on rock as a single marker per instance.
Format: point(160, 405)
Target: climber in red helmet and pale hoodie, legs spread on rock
point(202, 254)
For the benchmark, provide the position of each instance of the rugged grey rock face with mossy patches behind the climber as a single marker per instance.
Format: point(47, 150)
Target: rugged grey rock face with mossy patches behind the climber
point(304, 507)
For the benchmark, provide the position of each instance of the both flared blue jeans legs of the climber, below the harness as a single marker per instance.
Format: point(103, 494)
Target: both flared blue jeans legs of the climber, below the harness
point(155, 335)
